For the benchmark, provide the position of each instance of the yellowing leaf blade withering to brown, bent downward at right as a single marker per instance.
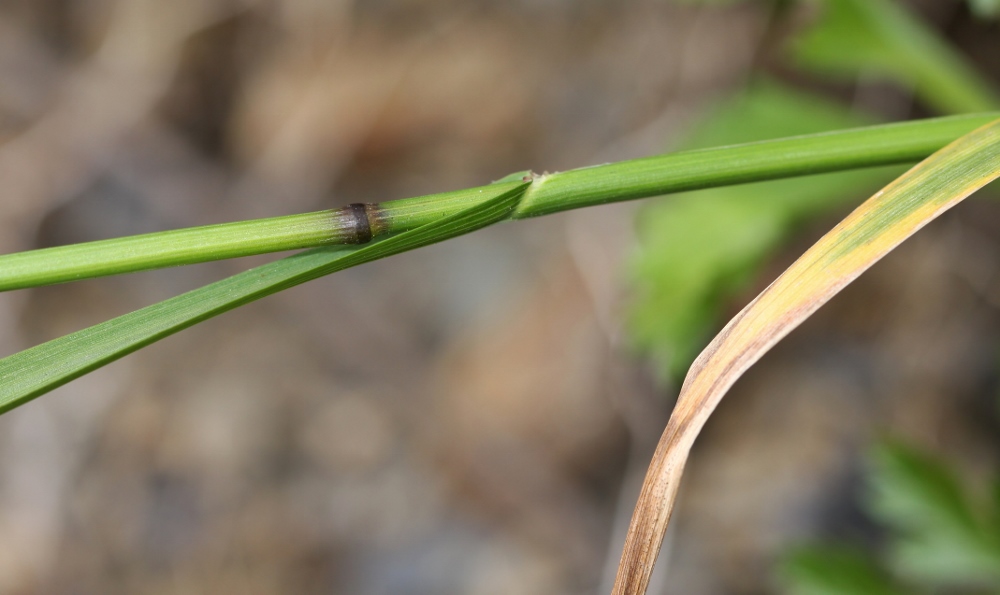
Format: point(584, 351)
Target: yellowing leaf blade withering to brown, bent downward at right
point(850, 248)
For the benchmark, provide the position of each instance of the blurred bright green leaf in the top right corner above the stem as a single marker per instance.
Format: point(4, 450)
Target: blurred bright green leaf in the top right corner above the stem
point(879, 38)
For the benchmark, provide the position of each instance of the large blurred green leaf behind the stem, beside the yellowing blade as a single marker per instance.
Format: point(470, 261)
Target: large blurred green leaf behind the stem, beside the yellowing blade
point(699, 248)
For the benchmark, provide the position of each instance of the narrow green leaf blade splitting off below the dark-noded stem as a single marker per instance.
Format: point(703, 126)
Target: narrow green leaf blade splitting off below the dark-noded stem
point(33, 372)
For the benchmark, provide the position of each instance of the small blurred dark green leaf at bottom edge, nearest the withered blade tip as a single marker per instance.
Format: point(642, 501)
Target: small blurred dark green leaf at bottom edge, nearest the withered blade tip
point(835, 570)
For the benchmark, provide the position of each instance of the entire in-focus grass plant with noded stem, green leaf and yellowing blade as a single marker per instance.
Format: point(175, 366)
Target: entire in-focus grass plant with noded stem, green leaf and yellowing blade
point(345, 237)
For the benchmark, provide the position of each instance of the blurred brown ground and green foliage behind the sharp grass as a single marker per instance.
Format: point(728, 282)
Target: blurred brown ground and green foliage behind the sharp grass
point(475, 417)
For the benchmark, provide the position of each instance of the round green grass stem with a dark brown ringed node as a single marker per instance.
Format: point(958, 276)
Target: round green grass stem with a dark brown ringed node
point(639, 178)
